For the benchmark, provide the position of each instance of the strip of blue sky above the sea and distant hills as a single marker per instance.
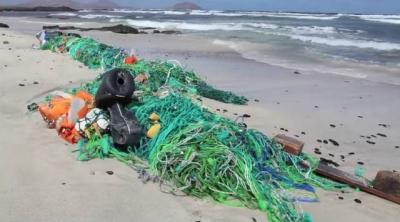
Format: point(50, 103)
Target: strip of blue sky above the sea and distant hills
point(363, 6)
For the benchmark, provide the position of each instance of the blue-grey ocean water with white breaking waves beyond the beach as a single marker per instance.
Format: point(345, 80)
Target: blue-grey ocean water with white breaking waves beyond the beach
point(361, 46)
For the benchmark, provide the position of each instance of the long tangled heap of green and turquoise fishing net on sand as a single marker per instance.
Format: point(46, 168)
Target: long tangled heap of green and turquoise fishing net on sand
point(202, 154)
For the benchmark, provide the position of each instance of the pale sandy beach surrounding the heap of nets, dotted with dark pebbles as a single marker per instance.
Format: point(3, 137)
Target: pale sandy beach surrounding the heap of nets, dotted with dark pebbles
point(43, 181)
